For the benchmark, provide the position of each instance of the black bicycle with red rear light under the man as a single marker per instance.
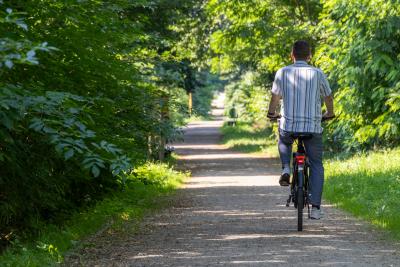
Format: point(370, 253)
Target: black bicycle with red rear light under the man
point(300, 184)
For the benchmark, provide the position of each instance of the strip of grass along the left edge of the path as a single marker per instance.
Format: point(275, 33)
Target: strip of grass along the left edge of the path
point(144, 186)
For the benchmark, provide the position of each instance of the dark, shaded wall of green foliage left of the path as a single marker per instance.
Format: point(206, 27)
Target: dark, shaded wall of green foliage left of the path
point(88, 91)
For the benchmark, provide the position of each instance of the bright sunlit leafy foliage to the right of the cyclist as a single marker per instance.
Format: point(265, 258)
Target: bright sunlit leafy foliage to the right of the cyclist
point(360, 52)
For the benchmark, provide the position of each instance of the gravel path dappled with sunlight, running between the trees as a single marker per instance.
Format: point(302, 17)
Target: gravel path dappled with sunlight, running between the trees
point(232, 213)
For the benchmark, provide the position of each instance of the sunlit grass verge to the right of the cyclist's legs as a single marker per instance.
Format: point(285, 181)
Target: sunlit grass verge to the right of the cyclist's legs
point(368, 186)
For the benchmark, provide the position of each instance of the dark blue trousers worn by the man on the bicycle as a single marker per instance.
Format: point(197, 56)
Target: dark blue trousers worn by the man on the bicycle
point(314, 150)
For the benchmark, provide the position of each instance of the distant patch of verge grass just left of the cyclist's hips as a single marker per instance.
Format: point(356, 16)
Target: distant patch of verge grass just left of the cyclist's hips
point(245, 138)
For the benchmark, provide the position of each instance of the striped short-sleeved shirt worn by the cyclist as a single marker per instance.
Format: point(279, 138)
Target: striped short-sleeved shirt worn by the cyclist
point(301, 87)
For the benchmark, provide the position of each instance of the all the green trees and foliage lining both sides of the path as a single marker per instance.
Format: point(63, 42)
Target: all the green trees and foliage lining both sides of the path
point(93, 90)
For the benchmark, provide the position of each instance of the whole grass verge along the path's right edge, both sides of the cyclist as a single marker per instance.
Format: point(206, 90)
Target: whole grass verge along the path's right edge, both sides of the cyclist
point(366, 185)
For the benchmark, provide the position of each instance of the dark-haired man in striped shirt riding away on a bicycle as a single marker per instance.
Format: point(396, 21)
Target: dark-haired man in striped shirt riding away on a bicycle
point(301, 88)
